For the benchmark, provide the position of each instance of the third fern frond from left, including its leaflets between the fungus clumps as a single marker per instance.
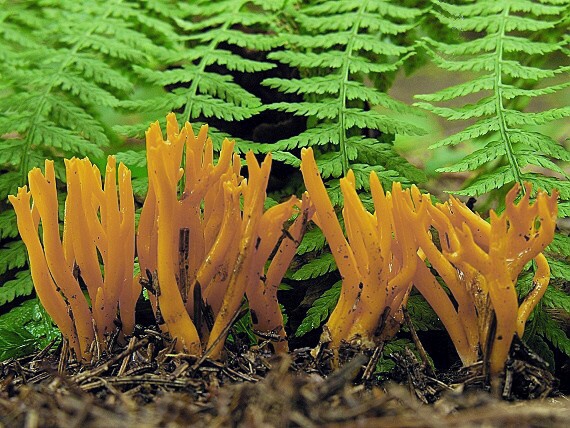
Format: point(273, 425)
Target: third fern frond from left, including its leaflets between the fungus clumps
point(335, 45)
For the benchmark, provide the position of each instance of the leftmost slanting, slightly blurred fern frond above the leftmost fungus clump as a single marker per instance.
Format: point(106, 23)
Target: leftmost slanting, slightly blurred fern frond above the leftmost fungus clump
point(76, 66)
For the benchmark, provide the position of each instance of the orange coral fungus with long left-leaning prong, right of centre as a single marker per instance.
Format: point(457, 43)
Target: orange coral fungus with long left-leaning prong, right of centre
point(377, 262)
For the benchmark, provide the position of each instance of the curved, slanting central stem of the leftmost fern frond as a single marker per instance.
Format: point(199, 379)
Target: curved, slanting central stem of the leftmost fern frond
point(38, 112)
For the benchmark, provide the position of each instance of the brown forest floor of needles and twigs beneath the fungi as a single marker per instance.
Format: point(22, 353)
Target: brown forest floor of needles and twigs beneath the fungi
point(145, 383)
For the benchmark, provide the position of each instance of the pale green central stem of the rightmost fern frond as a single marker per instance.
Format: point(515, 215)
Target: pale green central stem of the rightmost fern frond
point(503, 127)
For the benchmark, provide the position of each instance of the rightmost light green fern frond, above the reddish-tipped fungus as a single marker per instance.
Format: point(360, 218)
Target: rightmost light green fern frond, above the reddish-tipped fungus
point(501, 54)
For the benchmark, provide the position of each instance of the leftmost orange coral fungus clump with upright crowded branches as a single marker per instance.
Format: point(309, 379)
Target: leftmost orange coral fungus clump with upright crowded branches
point(95, 223)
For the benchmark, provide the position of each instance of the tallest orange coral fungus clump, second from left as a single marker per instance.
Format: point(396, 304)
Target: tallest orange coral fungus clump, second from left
point(228, 247)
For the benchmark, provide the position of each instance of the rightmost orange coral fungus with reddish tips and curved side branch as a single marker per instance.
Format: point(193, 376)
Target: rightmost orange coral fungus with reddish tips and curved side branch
point(511, 240)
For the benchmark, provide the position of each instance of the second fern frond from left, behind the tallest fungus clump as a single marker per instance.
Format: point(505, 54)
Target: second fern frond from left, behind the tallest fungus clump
point(197, 71)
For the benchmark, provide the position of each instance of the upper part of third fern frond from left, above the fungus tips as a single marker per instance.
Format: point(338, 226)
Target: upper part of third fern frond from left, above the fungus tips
point(339, 42)
